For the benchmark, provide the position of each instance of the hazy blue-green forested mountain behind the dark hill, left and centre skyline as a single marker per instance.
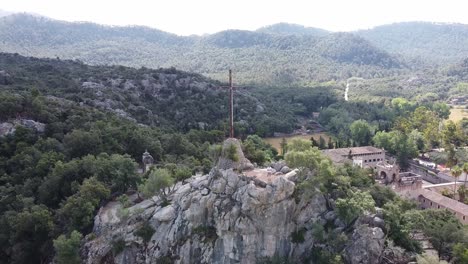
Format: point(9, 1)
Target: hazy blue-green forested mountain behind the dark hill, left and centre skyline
point(257, 57)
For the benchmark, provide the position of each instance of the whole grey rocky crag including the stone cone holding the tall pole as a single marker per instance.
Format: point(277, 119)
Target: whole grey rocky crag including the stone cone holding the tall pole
point(231, 215)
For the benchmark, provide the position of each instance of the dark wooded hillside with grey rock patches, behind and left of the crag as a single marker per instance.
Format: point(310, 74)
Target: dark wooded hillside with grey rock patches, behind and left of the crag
point(71, 135)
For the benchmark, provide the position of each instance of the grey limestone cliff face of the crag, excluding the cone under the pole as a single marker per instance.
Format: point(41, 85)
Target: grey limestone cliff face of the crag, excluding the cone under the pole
point(223, 217)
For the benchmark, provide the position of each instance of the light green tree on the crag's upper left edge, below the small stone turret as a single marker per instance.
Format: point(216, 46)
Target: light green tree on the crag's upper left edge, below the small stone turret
point(159, 180)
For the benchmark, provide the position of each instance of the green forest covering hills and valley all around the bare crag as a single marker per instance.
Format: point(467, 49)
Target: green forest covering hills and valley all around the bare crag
point(76, 118)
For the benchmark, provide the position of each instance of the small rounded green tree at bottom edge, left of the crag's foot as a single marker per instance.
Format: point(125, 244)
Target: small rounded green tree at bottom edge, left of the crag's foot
point(67, 249)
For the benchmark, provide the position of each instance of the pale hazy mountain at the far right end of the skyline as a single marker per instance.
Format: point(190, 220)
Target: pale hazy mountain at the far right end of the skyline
point(436, 42)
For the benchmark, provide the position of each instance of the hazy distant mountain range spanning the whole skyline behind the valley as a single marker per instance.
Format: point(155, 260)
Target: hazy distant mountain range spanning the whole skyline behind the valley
point(280, 54)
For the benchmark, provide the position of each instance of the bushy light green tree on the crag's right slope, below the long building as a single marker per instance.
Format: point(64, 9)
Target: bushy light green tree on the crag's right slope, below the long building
point(351, 207)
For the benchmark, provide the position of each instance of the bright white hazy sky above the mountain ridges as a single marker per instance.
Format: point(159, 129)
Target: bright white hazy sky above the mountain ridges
point(185, 17)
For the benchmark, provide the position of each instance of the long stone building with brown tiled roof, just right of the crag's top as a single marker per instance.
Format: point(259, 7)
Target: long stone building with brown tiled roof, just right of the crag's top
point(365, 157)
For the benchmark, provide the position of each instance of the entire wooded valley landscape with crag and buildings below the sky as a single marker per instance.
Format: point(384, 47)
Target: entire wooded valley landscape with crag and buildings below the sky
point(115, 144)
